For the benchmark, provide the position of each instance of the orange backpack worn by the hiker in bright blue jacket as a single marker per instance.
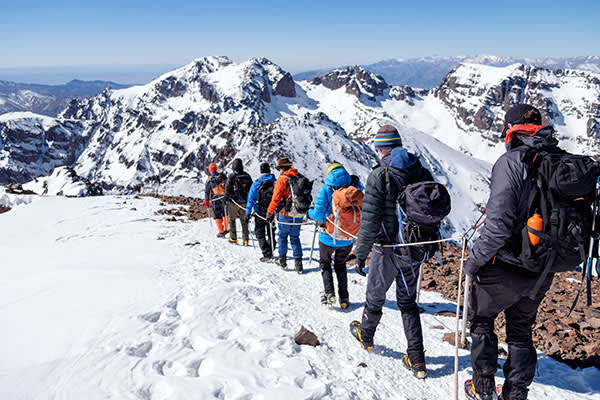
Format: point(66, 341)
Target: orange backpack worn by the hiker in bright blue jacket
point(346, 204)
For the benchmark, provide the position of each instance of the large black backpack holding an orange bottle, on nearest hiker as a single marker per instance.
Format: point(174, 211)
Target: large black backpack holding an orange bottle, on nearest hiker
point(563, 192)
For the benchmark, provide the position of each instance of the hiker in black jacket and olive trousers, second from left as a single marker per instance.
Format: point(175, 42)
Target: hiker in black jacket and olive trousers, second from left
point(236, 194)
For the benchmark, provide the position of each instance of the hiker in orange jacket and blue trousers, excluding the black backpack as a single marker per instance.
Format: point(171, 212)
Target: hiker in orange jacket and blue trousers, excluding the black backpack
point(281, 193)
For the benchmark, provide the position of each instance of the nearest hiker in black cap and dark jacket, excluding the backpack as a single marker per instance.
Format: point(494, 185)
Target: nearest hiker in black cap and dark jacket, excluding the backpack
point(499, 283)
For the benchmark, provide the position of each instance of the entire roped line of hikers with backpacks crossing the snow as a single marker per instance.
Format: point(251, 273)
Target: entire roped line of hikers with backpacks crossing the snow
point(511, 264)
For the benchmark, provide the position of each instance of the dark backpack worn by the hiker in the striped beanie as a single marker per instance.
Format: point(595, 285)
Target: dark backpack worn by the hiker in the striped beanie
point(421, 207)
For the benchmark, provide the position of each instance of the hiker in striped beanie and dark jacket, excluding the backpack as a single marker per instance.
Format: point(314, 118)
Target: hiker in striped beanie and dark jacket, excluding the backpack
point(379, 225)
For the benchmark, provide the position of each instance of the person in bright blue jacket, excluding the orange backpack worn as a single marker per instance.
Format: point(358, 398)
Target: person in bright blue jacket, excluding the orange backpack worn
point(330, 248)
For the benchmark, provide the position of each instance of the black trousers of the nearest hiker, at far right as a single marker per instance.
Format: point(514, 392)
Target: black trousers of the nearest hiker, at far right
point(503, 287)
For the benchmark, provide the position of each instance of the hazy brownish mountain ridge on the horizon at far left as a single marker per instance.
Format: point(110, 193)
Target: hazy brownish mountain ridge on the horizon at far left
point(48, 99)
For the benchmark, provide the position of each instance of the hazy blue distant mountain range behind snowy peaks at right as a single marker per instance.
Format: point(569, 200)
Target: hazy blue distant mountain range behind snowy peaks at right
point(428, 72)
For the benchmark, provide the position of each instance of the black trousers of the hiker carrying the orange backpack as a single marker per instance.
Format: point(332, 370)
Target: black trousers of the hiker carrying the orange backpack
point(341, 254)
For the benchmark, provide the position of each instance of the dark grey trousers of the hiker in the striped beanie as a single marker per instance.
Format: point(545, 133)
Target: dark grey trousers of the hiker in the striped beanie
point(385, 268)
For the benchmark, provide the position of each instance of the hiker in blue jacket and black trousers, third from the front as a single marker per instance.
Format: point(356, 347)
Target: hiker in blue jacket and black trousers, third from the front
point(259, 198)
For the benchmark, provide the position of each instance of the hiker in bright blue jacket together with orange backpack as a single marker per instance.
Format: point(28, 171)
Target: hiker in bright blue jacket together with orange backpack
point(339, 203)
